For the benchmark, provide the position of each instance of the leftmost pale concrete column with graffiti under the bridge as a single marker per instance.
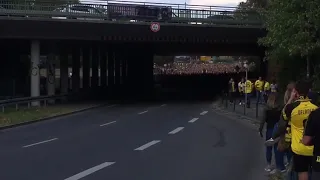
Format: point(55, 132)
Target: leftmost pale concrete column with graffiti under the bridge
point(35, 71)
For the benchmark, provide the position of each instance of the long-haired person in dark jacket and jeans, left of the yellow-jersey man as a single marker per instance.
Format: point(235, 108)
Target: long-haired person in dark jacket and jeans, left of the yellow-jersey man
point(271, 117)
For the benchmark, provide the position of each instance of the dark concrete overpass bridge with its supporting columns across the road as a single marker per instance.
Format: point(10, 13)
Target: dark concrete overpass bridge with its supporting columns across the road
point(120, 39)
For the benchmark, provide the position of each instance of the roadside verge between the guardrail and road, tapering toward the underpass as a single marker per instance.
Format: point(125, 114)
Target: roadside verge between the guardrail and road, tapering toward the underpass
point(13, 117)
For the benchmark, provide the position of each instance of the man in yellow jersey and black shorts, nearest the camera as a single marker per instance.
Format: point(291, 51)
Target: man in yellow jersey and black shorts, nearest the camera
point(297, 113)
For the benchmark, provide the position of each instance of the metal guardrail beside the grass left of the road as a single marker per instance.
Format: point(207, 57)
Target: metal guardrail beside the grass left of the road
point(29, 100)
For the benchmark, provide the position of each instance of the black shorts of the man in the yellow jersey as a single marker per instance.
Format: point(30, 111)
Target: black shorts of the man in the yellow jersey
point(301, 163)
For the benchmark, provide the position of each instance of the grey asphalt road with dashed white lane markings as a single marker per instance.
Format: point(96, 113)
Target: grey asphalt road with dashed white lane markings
point(174, 141)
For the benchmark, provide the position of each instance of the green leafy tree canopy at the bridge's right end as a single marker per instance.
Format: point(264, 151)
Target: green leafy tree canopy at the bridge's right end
point(293, 27)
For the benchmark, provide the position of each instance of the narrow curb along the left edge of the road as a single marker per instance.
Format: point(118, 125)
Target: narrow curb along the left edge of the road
point(52, 117)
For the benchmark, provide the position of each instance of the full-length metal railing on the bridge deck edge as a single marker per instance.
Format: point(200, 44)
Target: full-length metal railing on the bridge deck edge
point(128, 11)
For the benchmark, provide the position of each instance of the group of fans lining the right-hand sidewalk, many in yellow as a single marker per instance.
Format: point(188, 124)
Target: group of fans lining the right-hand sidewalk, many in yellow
point(292, 126)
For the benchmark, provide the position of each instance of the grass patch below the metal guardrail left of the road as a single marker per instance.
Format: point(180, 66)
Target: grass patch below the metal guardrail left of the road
point(11, 116)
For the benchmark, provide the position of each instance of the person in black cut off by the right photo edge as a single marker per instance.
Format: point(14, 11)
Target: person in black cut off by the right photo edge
point(312, 137)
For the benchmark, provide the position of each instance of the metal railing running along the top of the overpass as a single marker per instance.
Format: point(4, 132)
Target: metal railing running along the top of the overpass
point(126, 12)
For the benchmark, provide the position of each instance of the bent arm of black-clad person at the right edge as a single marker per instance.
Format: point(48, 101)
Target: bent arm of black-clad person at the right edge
point(310, 129)
